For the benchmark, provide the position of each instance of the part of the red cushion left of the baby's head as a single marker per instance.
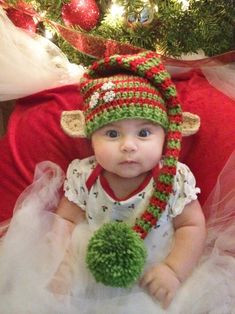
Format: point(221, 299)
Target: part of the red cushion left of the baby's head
point(34, 135)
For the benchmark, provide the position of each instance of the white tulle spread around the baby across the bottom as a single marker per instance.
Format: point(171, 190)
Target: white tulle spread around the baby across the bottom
point(43, 269)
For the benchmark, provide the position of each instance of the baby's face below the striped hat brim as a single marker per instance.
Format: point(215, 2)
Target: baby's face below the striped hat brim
point(128, 148)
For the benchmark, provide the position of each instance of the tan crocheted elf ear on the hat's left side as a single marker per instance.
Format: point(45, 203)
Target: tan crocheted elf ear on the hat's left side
point(73, 123)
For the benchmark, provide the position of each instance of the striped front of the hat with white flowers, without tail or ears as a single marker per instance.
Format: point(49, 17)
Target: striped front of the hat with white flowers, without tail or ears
point(118, 97)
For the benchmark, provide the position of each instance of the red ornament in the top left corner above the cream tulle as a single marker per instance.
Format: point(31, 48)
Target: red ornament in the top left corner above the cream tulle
point(23, 16)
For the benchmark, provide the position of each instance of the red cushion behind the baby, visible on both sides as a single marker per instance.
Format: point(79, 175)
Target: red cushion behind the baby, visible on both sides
point(34, 135)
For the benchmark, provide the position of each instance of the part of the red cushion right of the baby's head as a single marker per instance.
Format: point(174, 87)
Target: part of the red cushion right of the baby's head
point(207, 151)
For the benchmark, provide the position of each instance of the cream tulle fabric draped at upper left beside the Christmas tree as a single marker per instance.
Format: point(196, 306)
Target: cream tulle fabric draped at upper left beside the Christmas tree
point(30, 63)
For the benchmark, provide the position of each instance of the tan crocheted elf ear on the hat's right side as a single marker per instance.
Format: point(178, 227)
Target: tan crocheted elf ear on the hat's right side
point(191, 123)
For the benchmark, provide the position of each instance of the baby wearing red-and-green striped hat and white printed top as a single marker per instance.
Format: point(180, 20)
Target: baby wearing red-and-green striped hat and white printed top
point(133, 118)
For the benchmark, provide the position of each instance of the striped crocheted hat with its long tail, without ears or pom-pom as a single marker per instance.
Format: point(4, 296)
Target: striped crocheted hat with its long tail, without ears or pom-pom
point(137, 86)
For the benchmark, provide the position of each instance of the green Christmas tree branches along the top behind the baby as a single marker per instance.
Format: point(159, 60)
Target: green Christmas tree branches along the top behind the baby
point(206, 24)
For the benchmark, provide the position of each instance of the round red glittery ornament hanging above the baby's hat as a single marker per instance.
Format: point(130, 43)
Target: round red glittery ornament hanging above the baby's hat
point(84, 13)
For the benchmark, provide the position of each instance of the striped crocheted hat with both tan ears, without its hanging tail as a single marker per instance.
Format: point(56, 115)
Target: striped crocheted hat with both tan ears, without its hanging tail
point(126, 87)
